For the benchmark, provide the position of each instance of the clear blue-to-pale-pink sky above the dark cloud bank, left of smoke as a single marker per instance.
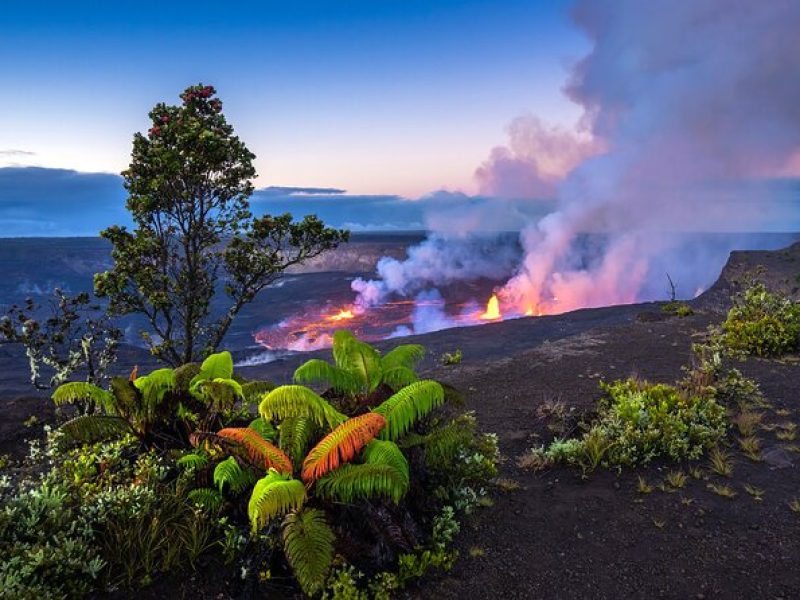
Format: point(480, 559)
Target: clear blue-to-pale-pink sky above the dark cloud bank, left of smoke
point(397, 97)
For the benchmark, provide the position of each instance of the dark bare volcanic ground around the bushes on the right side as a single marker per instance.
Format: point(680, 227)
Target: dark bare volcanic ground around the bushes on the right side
point(561, 535)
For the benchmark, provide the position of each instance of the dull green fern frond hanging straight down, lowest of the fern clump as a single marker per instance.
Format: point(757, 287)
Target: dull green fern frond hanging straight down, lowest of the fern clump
point(308, 545)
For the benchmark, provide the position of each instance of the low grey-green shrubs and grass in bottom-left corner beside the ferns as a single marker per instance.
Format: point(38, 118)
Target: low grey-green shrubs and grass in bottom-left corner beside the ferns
point(101, 515)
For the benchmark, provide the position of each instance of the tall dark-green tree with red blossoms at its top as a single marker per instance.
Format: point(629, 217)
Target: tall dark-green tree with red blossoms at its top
point(194, 236)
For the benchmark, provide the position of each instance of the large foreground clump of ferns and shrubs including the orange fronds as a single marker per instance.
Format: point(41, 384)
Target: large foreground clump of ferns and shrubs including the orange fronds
point(353, 492)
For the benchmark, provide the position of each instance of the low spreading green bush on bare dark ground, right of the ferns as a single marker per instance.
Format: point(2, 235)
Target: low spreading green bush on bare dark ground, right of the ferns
point(639, 421)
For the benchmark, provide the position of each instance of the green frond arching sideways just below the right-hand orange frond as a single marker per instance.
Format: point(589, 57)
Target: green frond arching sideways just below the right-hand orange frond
point(351, 482)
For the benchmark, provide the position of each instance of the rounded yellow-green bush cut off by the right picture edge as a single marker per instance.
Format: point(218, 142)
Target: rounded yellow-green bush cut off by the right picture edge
point(762, 323)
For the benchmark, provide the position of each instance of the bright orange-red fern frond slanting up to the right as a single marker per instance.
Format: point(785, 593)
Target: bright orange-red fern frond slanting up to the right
point(341, 445)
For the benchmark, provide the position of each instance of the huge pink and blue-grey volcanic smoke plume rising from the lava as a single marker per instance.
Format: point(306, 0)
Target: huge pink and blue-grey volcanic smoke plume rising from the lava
point(679, 137)
